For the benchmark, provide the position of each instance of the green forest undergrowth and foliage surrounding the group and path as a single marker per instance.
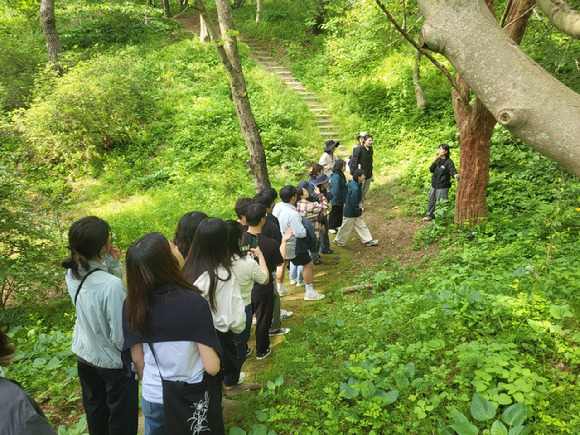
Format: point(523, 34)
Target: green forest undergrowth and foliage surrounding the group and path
point(139, 128)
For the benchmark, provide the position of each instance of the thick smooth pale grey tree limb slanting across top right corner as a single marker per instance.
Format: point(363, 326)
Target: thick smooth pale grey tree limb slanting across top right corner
point(523, 97)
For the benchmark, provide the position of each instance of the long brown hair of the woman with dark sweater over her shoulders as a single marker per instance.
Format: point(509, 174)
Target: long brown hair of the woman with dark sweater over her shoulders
point(150, 263)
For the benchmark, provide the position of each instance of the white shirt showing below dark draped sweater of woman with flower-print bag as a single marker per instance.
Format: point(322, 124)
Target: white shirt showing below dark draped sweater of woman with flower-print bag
point(179, 361)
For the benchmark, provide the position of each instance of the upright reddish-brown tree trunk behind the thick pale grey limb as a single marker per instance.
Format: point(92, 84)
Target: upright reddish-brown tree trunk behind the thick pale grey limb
point(475, 124)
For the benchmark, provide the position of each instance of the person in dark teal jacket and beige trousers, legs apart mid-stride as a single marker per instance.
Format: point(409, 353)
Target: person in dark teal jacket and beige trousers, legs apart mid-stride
point(353, 214)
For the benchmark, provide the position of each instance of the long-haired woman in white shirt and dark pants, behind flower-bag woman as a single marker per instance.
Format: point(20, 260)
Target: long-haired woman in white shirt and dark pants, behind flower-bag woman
point(209, 267)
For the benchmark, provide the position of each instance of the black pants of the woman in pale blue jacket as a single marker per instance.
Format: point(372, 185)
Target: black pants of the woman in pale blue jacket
point(111, 400)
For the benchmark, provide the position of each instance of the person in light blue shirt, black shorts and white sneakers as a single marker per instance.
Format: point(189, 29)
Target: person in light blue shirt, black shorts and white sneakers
point(289, 218)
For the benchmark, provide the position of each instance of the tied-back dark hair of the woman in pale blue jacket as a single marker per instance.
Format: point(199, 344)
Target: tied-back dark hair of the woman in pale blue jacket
point(86, 238)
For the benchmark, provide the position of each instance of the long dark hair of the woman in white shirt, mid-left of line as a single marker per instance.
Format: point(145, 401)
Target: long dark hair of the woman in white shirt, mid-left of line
point(208, 251)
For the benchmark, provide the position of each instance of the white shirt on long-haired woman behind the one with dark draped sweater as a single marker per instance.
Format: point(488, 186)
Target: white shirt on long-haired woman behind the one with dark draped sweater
point(230, 309)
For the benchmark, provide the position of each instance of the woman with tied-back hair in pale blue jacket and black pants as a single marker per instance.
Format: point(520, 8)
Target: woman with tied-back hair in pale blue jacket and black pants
point(93, 277)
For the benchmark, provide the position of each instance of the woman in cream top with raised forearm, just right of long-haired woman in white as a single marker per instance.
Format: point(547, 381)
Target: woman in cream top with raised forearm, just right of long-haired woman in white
point(247, 272)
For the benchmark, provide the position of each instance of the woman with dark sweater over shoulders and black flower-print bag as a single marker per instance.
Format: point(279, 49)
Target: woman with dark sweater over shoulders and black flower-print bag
point(169, 333)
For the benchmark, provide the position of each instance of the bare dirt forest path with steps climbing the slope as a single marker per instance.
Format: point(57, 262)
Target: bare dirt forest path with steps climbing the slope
point(383, 216)
